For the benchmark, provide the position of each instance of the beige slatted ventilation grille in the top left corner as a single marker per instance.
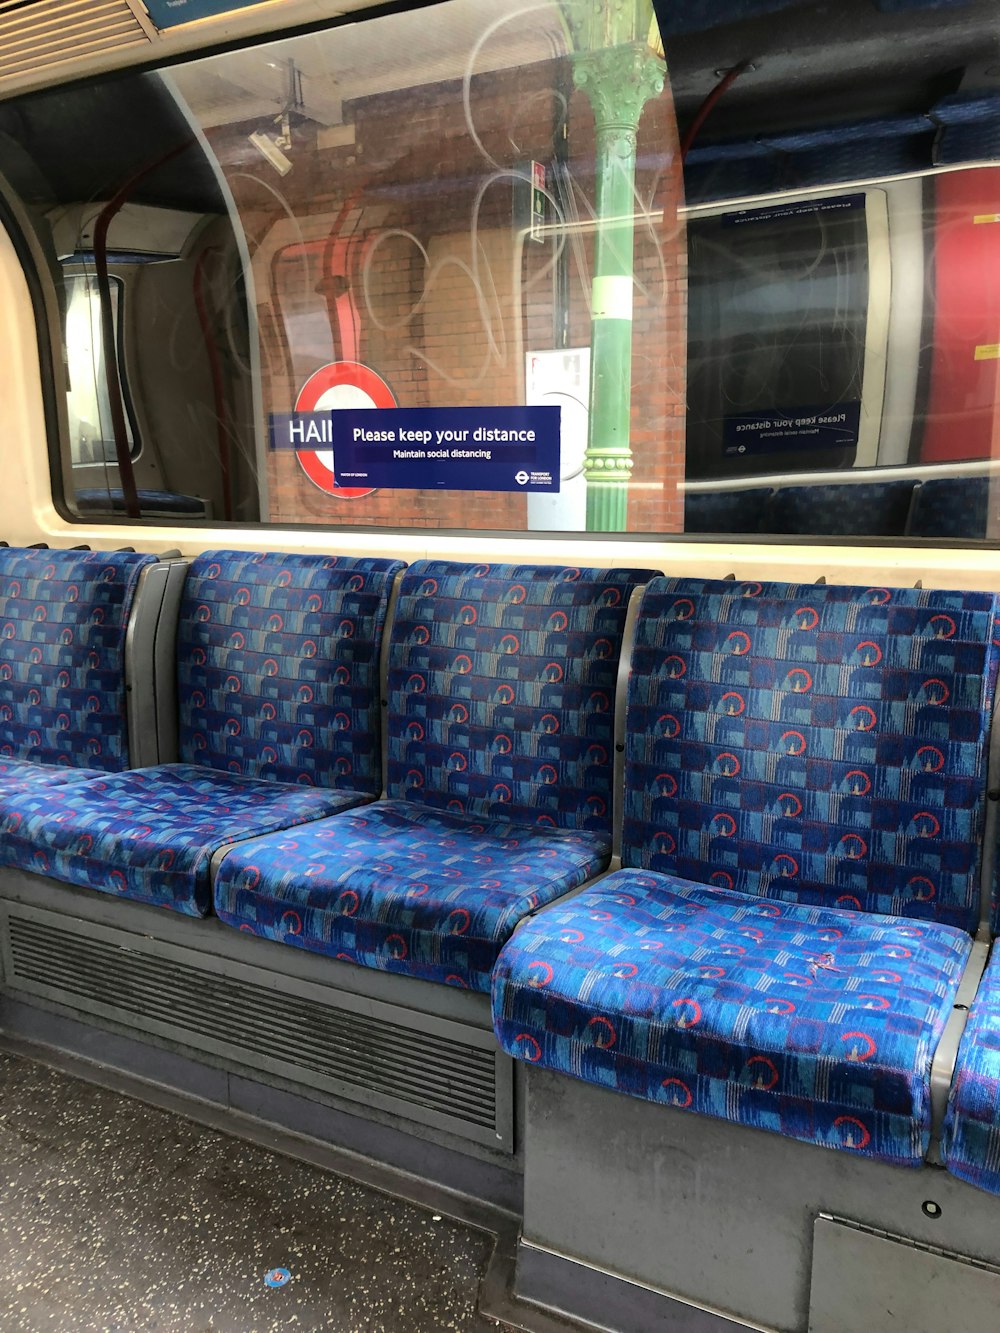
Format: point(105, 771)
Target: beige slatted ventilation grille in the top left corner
point(42, 34)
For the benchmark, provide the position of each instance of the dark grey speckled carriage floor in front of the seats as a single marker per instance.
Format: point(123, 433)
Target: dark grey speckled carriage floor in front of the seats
point(121, 1218)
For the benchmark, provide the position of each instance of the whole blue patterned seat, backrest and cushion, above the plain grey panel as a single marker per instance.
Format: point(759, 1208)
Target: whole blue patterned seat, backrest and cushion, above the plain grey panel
point(806, 772)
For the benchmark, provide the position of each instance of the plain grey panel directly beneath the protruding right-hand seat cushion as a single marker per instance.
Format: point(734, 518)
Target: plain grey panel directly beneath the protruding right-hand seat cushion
point(717, 1214)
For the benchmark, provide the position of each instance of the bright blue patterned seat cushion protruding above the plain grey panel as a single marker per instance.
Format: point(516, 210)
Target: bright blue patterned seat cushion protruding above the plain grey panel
point(815, 1023)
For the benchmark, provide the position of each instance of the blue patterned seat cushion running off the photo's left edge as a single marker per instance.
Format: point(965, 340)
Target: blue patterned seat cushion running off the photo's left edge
point(150, 834)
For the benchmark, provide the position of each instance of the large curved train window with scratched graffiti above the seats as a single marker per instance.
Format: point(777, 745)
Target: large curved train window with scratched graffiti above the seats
point(575, 283)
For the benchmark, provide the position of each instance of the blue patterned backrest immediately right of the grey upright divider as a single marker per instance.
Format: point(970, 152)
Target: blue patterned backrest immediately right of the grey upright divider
point(278, 667)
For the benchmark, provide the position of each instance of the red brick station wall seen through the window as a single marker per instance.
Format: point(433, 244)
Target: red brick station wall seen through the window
point(435, 279)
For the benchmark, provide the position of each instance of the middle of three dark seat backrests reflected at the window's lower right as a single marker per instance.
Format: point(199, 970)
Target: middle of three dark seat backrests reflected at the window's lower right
point(849, 510)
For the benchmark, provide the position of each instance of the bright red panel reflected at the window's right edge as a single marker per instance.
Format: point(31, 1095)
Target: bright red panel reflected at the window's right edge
point(962, 405)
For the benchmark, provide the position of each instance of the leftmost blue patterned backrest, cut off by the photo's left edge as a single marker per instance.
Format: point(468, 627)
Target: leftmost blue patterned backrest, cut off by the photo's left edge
point(65, 618)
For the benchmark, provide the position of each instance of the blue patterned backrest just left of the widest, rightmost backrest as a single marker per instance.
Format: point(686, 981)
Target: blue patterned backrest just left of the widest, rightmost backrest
point(502, 690)
